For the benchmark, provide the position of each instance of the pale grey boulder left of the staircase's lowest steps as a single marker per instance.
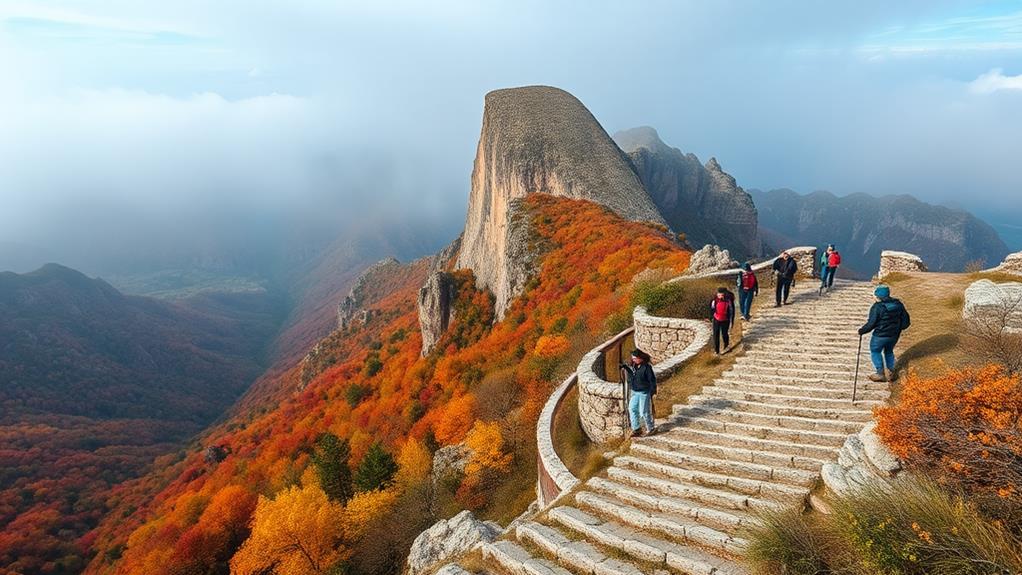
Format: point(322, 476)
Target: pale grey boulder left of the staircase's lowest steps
point(449, 539)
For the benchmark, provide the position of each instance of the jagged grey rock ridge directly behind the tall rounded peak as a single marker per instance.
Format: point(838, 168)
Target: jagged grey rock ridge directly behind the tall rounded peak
point(703, 202)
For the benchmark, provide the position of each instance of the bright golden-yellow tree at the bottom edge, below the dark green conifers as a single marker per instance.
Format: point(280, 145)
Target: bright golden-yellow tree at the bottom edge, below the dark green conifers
point(299, 533)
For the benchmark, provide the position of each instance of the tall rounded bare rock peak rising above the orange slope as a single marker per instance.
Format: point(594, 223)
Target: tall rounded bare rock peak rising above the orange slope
point(538, 139)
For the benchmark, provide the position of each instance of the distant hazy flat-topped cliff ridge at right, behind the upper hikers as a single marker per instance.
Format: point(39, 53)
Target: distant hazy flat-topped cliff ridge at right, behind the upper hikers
point(864, 226)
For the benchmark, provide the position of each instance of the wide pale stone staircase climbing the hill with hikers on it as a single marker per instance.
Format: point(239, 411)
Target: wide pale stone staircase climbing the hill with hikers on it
point(677, 502)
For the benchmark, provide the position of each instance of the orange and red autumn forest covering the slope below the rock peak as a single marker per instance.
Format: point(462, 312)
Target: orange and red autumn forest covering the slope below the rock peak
point(403, 409)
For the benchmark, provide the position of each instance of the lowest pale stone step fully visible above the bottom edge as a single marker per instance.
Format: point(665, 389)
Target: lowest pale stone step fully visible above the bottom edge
point(644, 548)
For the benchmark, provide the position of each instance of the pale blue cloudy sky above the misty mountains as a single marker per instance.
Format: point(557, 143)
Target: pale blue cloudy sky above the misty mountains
point(168, 108)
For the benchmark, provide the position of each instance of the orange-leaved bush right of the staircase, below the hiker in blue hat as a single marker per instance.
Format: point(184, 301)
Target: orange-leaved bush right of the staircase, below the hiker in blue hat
point(964, 426)
